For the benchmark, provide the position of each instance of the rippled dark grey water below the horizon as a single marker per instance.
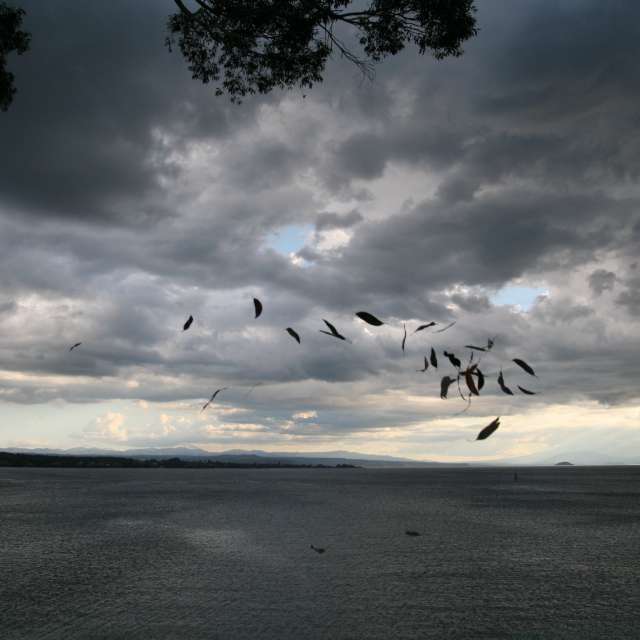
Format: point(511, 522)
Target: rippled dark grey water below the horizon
point(186, 553)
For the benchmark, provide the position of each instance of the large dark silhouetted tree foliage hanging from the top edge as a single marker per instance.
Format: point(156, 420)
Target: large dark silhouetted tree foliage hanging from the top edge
point(254, 46)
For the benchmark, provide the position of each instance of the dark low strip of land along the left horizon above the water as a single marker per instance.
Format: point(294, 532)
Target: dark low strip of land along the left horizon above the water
point(117, 462)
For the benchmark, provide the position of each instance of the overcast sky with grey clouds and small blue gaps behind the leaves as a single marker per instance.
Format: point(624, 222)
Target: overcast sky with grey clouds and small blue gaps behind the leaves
point(498, 190)
